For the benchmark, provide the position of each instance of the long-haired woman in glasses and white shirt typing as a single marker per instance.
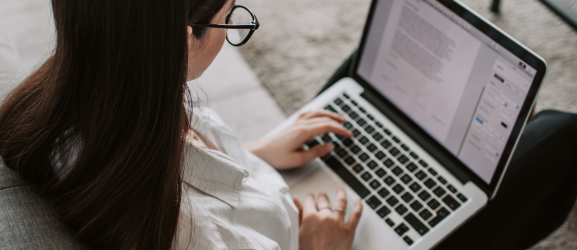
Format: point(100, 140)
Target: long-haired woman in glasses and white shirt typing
point(108, 131)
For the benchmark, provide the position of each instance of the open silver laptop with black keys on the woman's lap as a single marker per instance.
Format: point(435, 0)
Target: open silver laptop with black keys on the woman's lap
point(437, 100)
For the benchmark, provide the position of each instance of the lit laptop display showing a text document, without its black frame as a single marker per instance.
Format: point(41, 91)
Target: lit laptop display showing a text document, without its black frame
point(456, 83)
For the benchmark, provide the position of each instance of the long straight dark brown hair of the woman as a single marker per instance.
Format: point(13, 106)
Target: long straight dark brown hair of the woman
point(114, 89)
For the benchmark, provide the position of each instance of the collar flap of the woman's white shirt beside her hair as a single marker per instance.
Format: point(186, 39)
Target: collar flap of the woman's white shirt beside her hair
point(213, 173)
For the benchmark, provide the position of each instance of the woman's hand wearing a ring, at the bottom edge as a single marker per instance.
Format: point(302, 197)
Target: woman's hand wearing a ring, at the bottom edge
point(323, 228)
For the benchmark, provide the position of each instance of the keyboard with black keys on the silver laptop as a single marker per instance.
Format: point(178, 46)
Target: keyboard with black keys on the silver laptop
point(387, 174)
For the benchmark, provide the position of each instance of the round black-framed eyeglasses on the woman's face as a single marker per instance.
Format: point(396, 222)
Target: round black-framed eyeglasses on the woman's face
point(240, 25)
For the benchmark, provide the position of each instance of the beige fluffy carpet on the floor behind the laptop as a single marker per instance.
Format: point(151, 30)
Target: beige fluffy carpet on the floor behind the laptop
point(302, 42)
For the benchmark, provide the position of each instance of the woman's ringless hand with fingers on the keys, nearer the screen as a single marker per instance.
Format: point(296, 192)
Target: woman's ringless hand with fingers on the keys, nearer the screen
point(285, 149)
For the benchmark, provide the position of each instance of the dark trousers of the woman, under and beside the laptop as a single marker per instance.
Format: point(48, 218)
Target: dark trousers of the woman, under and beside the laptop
point(537, 193)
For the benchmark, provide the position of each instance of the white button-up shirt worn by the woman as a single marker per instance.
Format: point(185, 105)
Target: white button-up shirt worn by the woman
point(232, 199)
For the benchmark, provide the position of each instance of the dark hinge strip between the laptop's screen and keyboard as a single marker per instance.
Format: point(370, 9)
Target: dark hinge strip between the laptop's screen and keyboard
point(412, 131)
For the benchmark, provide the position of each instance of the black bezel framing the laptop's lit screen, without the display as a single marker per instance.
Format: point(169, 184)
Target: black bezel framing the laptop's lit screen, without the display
point(437, 150)
